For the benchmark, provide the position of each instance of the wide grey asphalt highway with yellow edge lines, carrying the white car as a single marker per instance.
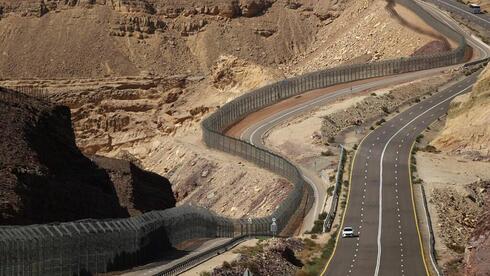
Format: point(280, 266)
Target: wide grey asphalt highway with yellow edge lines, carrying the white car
point(380, 206)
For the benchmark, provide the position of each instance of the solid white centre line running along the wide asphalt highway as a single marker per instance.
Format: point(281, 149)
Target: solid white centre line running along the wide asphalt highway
point(380, 212)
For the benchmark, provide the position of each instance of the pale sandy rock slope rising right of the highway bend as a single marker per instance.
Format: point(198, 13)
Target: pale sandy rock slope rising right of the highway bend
point(467, 130)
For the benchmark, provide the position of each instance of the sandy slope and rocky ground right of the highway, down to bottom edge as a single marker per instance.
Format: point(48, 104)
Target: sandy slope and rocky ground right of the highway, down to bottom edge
point(462, 207)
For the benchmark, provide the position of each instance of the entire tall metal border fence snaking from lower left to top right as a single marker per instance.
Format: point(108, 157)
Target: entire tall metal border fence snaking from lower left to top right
point(93, 246)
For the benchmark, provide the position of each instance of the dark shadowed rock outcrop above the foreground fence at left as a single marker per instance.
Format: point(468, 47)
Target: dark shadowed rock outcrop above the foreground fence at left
point(46, 178)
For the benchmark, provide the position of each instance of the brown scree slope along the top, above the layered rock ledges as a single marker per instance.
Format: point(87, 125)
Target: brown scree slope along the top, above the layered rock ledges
point(129, 37)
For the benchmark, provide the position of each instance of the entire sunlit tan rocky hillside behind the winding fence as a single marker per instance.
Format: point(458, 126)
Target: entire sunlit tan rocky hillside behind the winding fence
point(140, 75)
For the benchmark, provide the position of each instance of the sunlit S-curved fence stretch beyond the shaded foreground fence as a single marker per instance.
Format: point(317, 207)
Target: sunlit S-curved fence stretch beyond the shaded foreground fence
point(234, 111)
